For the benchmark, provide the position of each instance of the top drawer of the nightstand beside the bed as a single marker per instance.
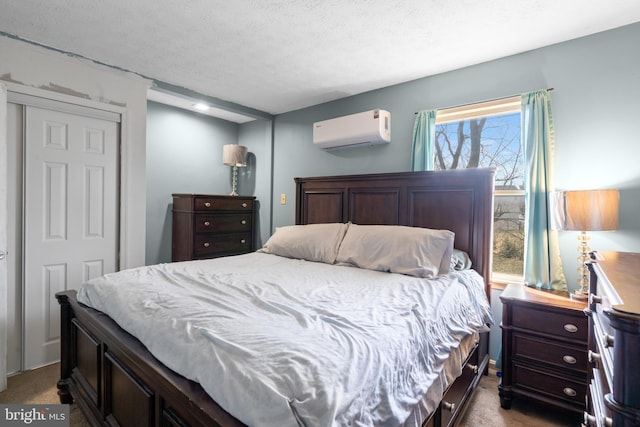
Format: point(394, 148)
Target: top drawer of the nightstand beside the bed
point(551, 322)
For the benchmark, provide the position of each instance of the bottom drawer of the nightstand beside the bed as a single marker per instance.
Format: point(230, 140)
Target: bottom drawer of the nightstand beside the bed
point(549, 384)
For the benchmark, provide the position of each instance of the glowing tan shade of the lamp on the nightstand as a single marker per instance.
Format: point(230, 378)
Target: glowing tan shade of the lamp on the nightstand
point(585, 210)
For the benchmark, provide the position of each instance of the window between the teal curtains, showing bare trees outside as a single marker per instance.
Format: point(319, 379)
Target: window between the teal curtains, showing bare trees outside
point(488, 135)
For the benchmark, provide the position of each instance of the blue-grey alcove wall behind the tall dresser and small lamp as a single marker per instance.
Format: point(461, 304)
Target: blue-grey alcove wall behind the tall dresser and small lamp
point(184, 155)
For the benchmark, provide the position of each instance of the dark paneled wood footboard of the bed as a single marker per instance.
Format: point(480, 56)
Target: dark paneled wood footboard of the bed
point(116, 381)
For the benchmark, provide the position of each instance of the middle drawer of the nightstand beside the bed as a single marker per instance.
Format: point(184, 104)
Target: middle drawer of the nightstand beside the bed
point(554, 353)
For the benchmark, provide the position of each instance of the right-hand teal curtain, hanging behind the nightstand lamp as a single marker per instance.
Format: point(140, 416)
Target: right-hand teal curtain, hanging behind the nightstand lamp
point(542, 262)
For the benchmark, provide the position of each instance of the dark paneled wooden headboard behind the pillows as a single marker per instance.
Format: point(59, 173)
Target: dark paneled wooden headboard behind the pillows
point(456, 200)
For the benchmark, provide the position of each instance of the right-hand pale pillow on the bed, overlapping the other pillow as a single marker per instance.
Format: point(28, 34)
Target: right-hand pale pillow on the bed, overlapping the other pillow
point(414, 251)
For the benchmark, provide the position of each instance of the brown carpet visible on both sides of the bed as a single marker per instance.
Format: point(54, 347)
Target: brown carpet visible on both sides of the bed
point(39, 387)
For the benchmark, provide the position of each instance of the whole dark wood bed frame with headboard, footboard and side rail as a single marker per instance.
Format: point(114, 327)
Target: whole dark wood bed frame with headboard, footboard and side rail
point(117, 382)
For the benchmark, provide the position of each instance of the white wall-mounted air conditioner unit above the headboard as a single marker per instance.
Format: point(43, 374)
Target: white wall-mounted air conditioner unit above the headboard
point(367, 128)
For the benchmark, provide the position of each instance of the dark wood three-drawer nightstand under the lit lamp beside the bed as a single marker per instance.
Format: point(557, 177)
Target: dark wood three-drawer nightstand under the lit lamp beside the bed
point(544, 348)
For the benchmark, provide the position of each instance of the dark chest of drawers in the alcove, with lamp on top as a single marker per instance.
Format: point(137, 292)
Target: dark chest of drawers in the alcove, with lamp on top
point(210, 226)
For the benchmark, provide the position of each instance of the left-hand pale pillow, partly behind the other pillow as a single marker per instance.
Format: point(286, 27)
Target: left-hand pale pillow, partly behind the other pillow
point(311, 242)
